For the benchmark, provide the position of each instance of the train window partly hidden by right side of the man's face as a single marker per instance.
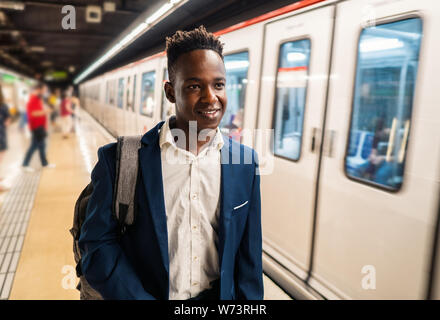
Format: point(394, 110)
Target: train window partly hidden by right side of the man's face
point(237, 66)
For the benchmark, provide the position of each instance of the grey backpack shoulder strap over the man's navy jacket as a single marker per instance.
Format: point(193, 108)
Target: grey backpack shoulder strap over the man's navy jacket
point(127, 165)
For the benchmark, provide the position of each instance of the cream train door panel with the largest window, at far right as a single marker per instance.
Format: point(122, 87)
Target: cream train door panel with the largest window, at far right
point(377, 208)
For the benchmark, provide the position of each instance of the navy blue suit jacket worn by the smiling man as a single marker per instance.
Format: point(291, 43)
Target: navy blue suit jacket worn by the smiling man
point(137, 266)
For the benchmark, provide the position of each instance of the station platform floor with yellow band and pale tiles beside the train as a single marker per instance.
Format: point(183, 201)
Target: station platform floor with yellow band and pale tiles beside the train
point(36, 258)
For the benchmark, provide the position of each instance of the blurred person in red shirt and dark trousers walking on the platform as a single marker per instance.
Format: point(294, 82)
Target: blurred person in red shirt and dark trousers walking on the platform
point(37, 116)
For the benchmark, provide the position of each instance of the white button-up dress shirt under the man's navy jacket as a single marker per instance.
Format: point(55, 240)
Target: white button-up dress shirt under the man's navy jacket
point(191, 192)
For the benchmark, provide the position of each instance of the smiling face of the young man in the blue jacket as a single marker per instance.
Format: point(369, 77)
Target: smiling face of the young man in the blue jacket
point(199, 89)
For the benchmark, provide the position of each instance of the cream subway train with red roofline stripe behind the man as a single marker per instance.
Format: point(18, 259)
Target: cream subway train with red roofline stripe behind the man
point(351, 205)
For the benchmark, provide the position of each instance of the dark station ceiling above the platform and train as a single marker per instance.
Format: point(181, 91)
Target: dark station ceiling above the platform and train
point(33, 41)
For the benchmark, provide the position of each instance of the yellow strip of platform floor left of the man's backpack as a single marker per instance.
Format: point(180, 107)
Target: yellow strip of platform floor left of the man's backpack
point(47, 249)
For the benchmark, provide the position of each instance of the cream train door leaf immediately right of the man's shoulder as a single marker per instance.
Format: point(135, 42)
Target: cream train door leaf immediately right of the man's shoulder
point(293, 92)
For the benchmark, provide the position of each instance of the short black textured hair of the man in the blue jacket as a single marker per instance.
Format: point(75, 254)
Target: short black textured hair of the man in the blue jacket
point(185, 41)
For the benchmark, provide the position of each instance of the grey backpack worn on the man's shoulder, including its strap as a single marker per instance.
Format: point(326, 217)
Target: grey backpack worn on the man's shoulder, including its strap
point(123, 204)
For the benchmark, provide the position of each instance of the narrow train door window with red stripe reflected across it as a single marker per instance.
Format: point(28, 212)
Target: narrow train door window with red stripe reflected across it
point(291, 87)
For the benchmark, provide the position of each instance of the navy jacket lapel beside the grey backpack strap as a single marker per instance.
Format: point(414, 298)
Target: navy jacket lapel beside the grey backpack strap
point(151, 168)
